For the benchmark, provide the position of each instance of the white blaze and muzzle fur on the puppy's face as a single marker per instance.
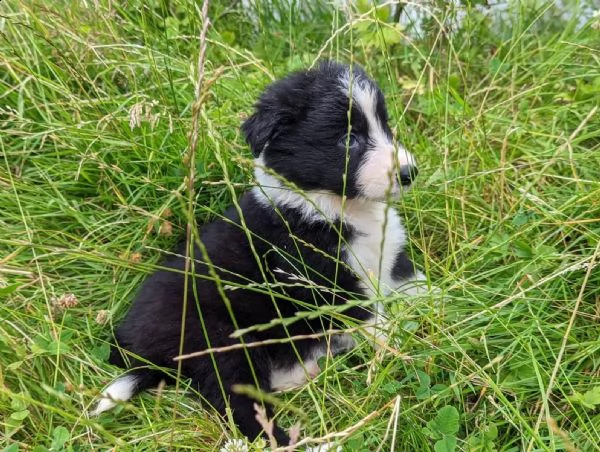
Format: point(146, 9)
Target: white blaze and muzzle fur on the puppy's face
point(375, 177)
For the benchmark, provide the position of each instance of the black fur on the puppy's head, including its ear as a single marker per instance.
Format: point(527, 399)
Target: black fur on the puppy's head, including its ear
point(302, 120)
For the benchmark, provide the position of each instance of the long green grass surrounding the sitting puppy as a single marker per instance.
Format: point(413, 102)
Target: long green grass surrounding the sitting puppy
point(96, 103)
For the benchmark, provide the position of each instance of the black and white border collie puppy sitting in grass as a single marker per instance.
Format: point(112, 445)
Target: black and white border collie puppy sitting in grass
point(314, 232)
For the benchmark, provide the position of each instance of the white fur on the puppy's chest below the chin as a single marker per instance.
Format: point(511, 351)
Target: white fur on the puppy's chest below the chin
point(377, 239)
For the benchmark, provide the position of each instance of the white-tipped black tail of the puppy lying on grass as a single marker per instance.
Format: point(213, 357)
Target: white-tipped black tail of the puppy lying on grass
point(125, 387)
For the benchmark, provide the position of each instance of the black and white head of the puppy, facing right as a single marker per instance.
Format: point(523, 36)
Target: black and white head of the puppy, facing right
point(326, 129)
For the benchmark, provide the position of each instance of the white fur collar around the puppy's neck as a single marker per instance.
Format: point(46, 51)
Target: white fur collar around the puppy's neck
point(313, 205)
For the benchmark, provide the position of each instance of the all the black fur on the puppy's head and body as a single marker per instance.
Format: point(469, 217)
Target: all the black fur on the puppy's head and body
point(297, 129)
